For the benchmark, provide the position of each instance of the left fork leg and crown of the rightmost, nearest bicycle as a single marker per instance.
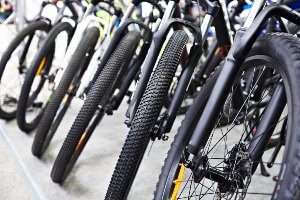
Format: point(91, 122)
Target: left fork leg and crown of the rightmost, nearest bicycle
point(244, 41)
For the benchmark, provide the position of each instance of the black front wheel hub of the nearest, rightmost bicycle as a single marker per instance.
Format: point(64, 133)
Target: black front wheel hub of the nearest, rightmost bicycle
point(235, 175)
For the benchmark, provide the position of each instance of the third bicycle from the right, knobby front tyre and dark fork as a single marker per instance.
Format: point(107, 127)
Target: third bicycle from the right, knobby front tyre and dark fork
point(118, 71)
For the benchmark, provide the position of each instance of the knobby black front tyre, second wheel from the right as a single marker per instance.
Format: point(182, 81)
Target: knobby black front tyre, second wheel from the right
point(146, 116)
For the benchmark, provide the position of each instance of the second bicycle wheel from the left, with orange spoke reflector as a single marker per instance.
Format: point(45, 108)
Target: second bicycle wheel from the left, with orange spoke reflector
point(40, 74)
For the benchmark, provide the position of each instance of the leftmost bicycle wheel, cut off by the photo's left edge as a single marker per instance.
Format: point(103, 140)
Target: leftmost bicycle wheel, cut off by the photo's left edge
point(14, 64)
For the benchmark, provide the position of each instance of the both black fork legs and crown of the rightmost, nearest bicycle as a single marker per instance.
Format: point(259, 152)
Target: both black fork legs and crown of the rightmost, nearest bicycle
point(244, 41)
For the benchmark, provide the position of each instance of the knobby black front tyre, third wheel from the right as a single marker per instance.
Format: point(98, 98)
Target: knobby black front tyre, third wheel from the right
point(85, 123)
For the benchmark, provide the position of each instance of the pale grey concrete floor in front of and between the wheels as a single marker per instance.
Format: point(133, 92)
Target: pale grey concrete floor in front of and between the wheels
point(91, 174)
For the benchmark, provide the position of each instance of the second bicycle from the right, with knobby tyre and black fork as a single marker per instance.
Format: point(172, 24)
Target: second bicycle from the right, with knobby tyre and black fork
point(148, 120)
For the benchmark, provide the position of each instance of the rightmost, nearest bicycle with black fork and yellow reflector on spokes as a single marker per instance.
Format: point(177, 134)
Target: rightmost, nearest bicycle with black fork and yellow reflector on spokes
point(200, 154)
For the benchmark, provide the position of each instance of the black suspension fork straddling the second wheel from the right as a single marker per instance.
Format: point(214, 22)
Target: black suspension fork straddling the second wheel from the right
point(159, 38)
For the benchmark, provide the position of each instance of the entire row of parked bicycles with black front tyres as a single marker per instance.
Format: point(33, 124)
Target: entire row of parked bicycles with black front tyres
point(245, 92)
